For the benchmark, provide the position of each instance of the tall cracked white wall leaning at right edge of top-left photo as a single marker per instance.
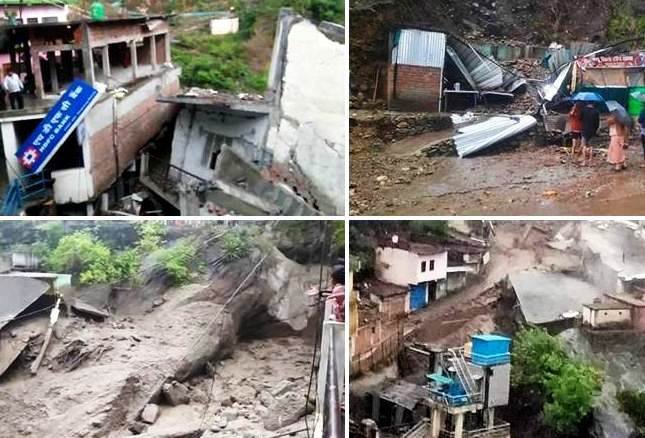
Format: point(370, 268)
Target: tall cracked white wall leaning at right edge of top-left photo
point(309, 82)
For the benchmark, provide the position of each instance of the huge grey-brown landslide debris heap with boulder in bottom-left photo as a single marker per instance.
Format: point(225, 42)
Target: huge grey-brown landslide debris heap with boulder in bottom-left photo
point(157, 378)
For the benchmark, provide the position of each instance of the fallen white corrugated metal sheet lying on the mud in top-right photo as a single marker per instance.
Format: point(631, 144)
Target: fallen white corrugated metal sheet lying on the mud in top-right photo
point(473, 138)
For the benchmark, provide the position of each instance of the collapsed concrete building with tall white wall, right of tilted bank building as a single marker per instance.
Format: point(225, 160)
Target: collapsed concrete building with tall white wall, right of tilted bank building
point(277, 154)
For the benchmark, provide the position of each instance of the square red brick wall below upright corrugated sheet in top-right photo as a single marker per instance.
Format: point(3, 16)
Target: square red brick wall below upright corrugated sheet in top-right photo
point(416, 88)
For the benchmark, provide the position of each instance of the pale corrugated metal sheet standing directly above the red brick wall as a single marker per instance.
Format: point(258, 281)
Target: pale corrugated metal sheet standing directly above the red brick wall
point(420, 48)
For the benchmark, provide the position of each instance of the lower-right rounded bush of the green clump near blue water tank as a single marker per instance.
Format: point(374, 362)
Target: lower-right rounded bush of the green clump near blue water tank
point(572, 392)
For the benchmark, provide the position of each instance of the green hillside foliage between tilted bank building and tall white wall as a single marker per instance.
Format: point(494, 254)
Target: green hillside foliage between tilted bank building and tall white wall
point(218, 62)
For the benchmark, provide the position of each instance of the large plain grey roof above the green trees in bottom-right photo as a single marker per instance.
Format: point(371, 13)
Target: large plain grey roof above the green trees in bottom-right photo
point(545, 296)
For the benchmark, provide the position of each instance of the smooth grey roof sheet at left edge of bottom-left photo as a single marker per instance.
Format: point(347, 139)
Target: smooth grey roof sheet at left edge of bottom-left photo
point(16, 294)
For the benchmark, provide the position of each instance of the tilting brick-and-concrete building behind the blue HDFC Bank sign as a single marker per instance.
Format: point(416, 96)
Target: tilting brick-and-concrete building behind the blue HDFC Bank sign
point(128, 58)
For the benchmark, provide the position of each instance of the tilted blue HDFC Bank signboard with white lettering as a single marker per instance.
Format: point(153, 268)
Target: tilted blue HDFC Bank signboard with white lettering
point(59, 123)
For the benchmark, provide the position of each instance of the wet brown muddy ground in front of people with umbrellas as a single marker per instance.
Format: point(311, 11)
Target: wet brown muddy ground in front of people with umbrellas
point(525, 179)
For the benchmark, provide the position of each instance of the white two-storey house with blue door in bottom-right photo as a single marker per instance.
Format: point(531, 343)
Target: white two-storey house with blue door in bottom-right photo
point(421, 268)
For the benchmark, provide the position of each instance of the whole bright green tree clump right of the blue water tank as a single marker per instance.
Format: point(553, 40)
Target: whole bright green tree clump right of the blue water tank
point(568, 386)
